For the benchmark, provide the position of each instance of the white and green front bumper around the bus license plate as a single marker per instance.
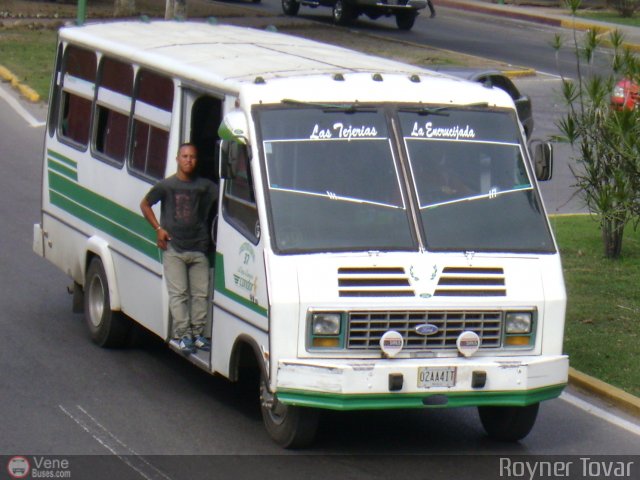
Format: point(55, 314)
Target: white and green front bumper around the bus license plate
point(364, 385)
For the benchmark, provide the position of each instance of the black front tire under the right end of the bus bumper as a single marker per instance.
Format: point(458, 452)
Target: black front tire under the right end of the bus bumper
point(508, 424)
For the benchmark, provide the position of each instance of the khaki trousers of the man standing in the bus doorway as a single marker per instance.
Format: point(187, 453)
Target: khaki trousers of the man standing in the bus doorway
point(187, 278)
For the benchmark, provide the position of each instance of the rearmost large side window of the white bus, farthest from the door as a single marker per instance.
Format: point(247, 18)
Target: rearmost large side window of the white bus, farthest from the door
point(78, 84)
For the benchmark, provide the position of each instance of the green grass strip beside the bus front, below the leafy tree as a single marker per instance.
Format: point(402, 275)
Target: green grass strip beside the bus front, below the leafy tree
point(603, 312)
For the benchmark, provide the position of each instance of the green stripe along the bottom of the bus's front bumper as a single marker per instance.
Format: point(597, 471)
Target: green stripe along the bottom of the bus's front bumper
point(330, 401)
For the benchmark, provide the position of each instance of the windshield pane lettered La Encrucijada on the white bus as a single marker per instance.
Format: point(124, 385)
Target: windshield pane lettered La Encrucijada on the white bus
point(473, 189)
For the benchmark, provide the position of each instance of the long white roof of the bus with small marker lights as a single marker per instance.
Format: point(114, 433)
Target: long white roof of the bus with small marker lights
point(241, 59)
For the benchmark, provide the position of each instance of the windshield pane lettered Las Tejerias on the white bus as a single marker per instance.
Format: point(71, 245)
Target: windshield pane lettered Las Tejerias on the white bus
point(333, 181)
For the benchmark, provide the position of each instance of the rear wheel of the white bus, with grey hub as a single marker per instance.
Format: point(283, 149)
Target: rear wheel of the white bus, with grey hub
point(107, 328)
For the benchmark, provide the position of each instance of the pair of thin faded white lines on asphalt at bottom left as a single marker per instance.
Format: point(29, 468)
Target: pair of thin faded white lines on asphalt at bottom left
point(116, 446)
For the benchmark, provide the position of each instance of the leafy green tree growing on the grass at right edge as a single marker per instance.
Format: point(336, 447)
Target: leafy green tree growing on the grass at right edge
point(606, 140)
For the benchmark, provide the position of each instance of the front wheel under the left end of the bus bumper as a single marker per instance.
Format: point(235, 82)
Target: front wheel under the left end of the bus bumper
point(290, 427)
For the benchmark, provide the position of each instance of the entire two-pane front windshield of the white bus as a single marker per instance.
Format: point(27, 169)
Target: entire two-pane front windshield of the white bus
point(335, 181)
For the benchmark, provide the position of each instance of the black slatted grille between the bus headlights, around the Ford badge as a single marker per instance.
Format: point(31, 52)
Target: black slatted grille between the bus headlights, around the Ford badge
point(366, 328)
